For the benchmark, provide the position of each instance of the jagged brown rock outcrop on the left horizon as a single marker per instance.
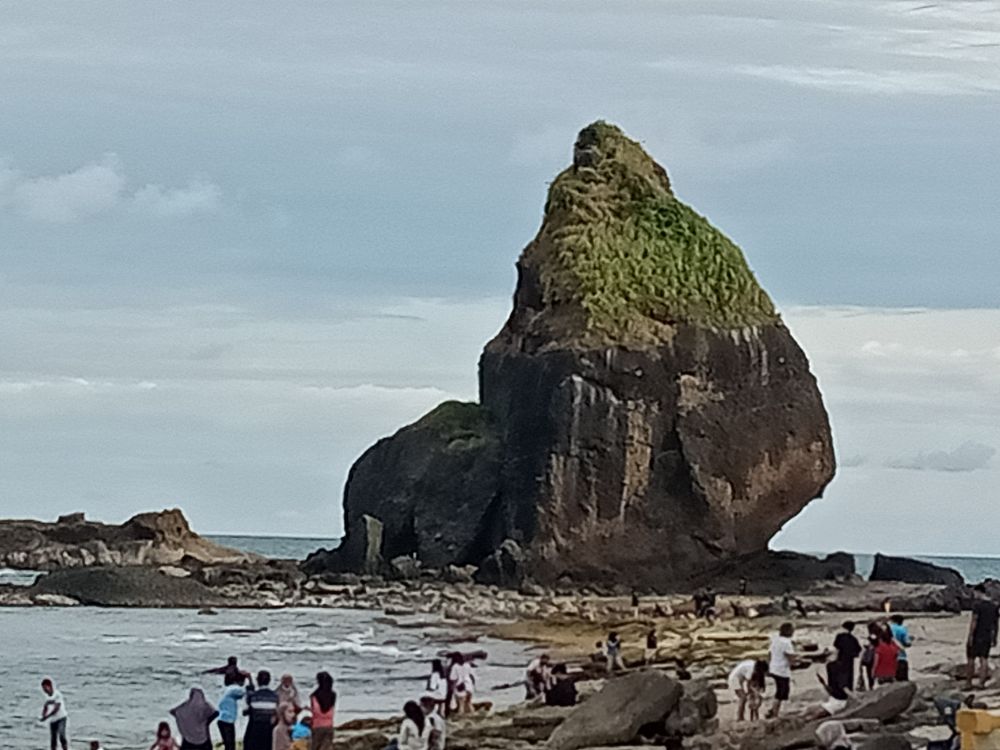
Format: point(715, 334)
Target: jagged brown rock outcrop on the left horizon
point(162, 538)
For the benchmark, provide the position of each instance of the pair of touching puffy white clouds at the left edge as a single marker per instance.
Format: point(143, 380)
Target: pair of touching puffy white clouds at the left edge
point(97, 188)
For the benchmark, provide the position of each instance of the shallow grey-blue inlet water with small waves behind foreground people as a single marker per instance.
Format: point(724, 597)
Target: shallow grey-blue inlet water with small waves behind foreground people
point(121, 670)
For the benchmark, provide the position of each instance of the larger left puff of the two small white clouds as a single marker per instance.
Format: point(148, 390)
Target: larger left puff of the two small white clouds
point(63, 198)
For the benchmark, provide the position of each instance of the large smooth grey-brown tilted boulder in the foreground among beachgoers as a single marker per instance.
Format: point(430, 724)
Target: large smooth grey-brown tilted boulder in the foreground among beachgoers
point(614, 715)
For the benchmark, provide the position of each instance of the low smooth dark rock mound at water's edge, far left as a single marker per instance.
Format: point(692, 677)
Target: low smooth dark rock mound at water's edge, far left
point(113, 586)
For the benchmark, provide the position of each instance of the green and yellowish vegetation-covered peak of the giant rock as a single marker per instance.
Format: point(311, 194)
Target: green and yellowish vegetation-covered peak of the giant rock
point(618, 250)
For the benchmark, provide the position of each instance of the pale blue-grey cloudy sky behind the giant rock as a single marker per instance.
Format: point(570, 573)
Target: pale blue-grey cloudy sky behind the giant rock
point(240, 242)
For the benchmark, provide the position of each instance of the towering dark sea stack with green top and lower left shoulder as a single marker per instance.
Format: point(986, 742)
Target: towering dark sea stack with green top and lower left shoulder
point(644, 413)
